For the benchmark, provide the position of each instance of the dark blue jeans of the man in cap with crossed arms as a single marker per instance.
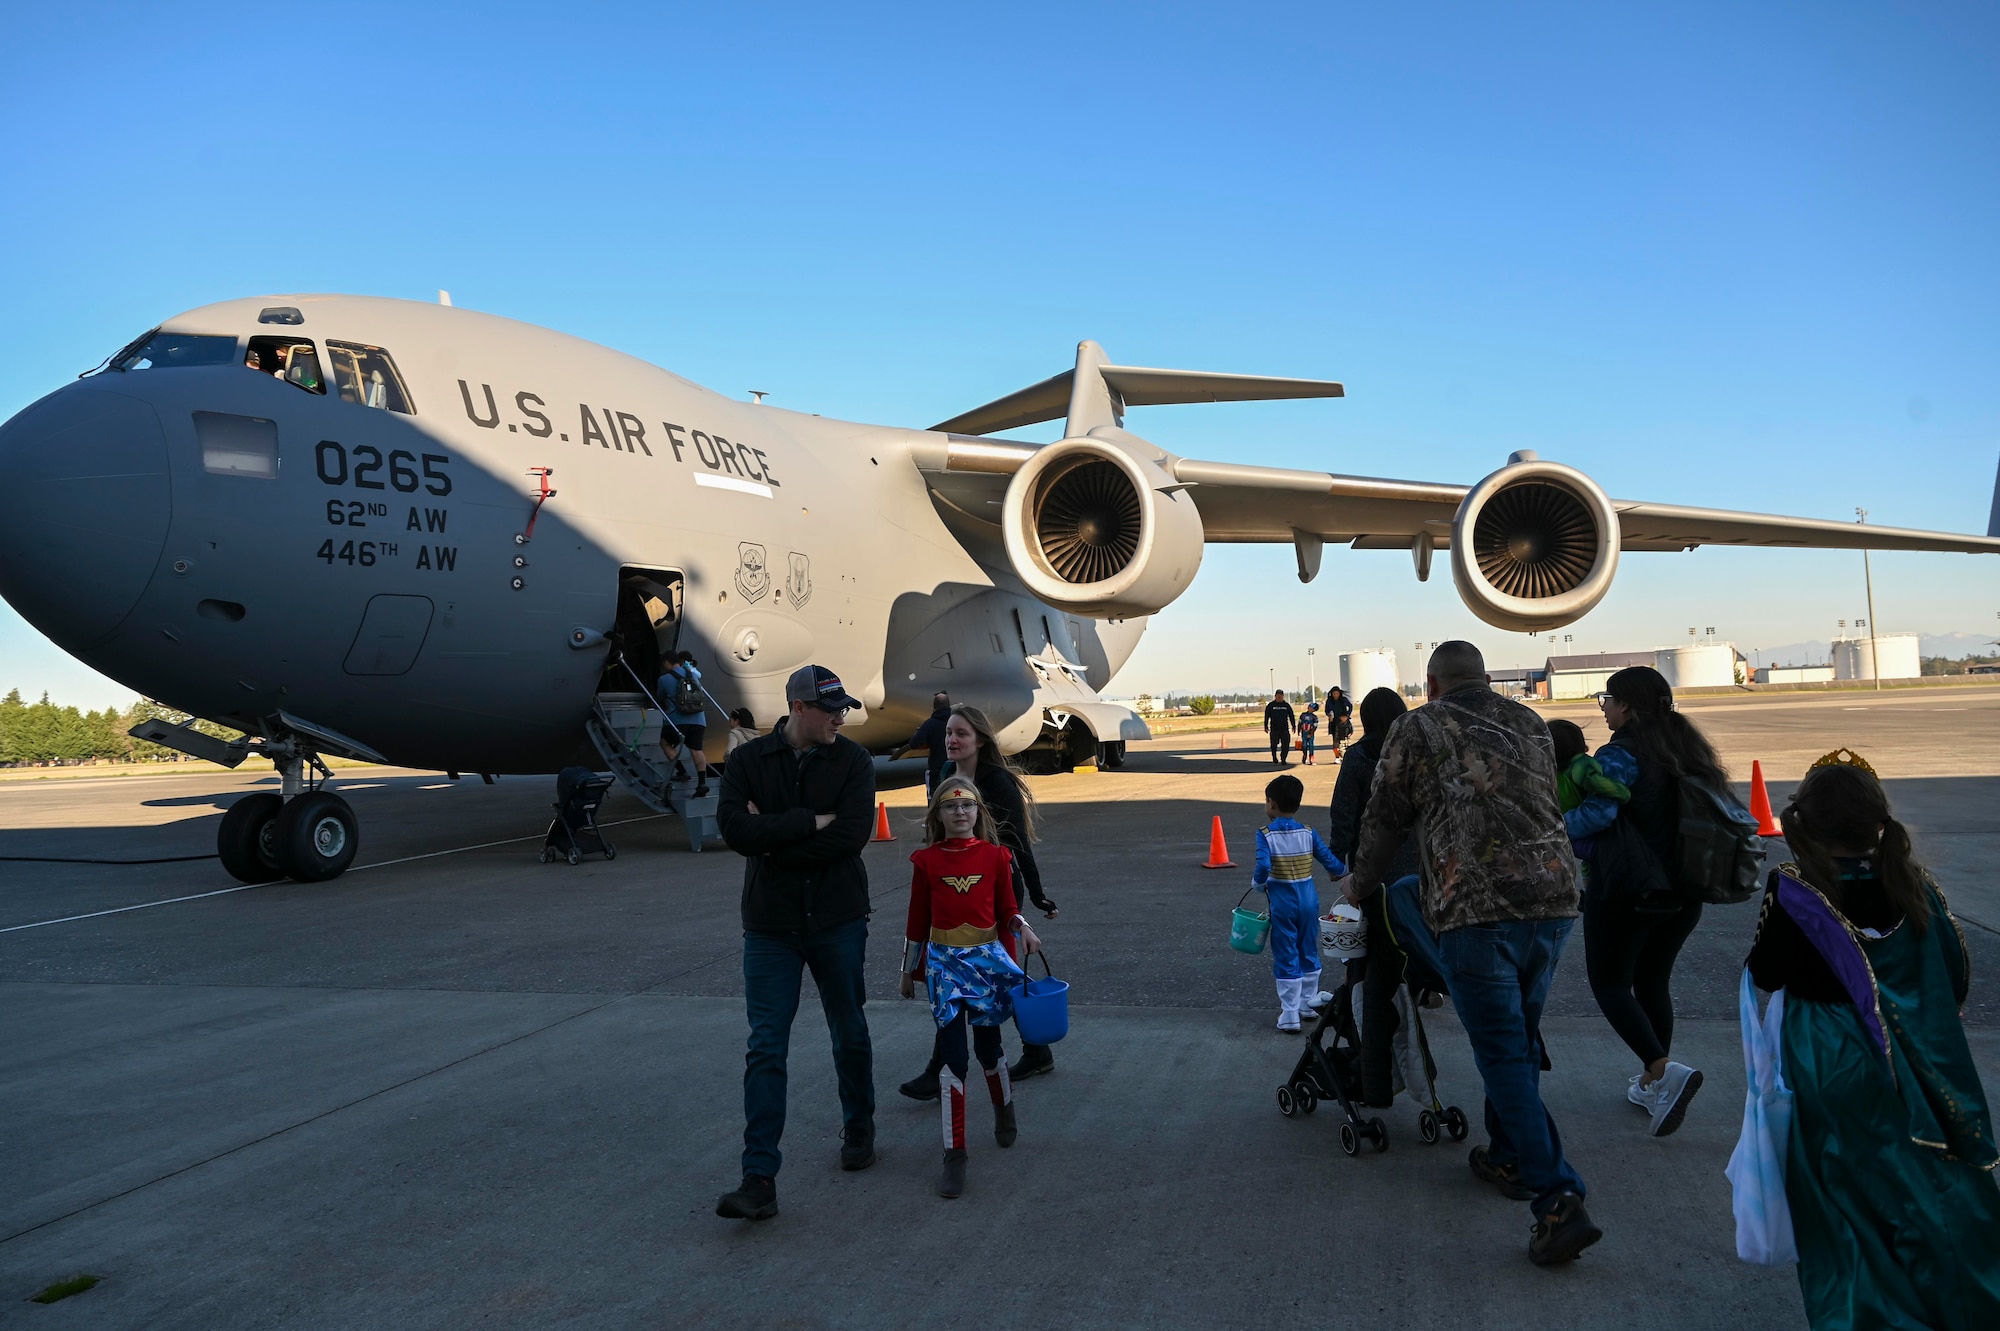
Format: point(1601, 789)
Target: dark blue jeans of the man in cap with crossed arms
point(773, 968)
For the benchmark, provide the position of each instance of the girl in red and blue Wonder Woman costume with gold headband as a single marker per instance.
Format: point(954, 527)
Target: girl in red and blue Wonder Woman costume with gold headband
point(963, 944)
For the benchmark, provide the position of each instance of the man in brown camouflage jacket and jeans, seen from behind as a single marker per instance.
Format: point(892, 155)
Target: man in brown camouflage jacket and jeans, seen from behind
point(1475, 778)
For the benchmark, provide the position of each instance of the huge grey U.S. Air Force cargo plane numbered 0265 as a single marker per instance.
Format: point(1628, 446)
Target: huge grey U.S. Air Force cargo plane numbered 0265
point(421, 535)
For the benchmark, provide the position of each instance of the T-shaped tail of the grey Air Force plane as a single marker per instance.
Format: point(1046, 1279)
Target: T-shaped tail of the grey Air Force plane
point(1097, 395)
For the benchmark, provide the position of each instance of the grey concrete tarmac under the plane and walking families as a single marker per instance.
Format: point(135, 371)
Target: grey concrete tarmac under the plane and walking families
point(477, 1090)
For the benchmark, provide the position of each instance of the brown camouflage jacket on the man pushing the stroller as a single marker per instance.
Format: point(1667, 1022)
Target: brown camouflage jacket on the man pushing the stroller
point(1475, 778)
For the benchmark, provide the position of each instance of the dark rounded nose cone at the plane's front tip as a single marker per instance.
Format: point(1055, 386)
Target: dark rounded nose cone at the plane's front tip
point(87, 511)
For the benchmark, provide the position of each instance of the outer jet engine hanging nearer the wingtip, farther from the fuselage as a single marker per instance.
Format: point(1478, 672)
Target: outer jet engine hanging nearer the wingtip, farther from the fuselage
point(1535, 547)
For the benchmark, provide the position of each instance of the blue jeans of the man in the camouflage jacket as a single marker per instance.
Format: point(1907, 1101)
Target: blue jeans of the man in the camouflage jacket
point(1501, 978)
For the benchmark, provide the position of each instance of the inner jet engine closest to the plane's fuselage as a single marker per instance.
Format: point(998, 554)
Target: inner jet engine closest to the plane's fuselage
point(1099, 529)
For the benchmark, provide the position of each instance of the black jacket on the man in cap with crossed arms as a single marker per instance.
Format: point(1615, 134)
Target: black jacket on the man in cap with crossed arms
point(799, 880)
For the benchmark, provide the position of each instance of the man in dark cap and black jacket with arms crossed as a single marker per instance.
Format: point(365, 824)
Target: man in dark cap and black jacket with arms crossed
point(799, 806)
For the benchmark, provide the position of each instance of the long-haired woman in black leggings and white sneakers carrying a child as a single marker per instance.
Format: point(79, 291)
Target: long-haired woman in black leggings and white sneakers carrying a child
point(1635, 922)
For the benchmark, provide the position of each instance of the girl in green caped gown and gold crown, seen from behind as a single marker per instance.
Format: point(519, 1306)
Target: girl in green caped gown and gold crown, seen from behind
point(1889, 1166)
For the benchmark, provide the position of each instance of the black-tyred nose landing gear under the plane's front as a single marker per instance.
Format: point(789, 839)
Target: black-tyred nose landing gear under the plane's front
point(305, 832)
